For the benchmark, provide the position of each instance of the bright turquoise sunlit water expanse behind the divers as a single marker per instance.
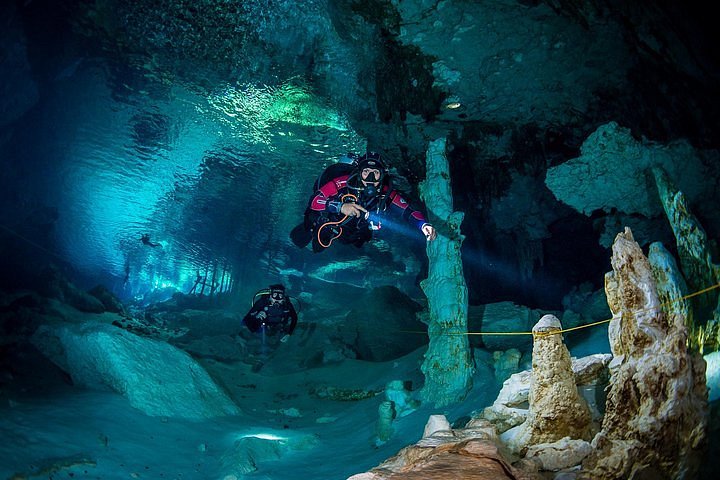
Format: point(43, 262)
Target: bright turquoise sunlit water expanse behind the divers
point(216, 178)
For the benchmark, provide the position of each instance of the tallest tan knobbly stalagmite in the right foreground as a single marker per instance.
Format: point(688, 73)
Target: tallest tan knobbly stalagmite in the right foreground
point(655, 419)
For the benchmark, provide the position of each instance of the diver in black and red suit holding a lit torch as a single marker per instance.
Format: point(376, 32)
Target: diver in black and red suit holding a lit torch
point(350, 202)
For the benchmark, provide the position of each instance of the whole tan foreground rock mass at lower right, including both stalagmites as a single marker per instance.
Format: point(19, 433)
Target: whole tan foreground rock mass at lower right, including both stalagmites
point(655, 421)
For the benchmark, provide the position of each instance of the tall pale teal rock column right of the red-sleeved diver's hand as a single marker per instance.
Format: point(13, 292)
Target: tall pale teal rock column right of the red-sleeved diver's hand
point(447, 367)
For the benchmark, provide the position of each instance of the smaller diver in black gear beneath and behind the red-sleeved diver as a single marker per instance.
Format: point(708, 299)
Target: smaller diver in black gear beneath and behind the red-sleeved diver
point(272, 314)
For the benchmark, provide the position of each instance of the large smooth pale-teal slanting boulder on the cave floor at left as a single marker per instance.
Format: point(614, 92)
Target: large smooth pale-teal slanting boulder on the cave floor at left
point(155, 377)
